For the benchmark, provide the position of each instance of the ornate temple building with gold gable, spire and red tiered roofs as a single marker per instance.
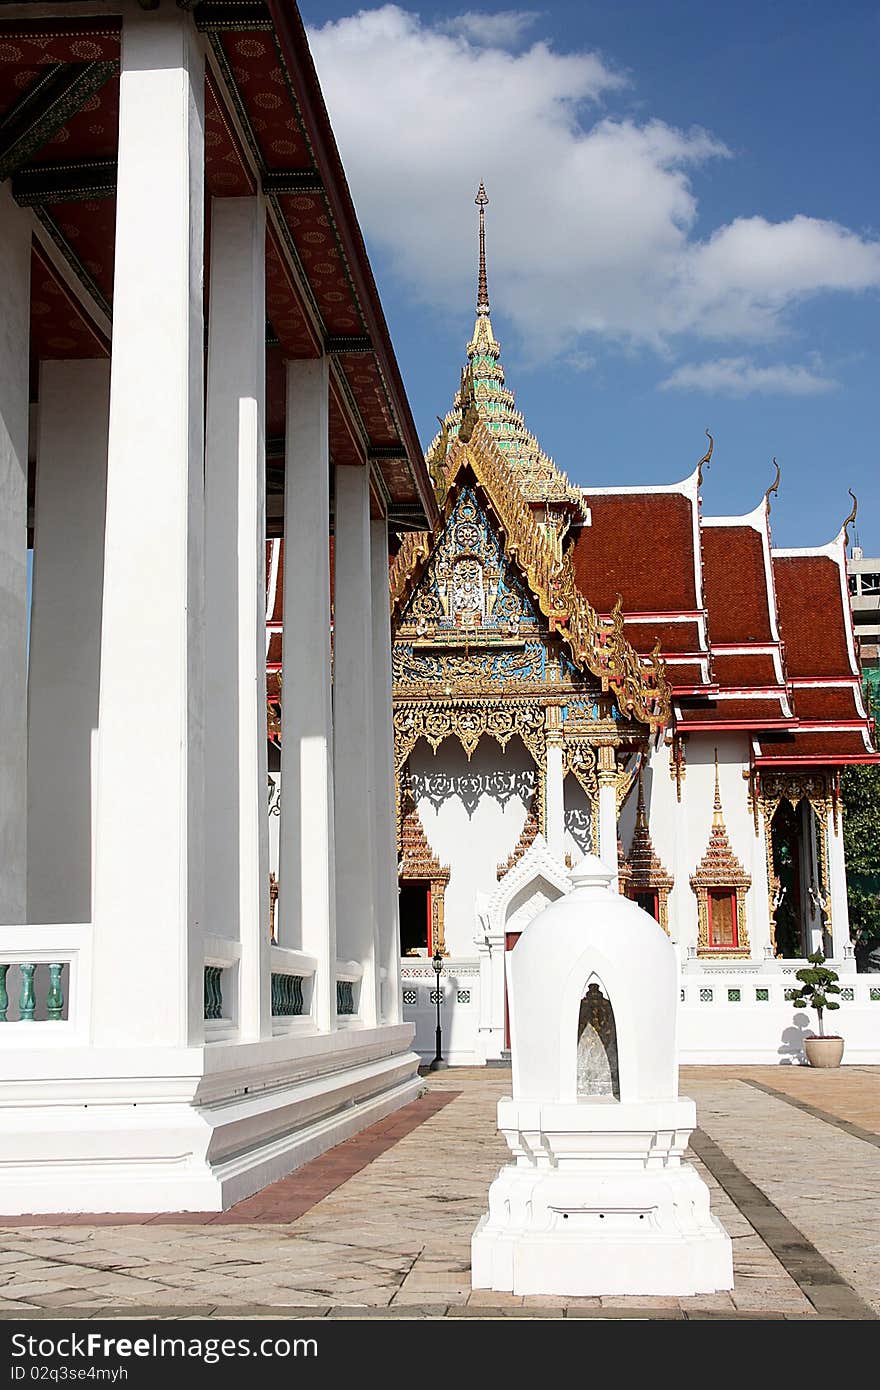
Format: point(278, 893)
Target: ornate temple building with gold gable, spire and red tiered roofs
point(610, 671)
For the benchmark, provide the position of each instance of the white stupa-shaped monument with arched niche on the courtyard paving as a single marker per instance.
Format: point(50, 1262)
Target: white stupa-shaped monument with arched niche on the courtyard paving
point(598, 1199)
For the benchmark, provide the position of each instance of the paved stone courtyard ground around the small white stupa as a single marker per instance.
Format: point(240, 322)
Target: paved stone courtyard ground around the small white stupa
point(382, 1225)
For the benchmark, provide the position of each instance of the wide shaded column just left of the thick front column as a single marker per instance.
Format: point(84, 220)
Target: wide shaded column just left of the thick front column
point(66, 637)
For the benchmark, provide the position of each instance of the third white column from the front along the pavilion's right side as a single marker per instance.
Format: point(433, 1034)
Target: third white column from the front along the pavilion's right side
point(307, 910)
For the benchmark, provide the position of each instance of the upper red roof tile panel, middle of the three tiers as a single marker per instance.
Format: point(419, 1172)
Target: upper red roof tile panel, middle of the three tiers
point(736, 584)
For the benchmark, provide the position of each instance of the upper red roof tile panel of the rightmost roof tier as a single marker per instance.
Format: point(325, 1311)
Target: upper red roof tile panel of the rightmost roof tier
point(811, 614)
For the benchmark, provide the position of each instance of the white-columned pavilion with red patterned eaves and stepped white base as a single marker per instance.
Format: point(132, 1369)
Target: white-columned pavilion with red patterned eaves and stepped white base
point(193, 357)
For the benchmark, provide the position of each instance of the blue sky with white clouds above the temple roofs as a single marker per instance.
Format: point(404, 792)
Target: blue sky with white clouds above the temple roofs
point(683, 230)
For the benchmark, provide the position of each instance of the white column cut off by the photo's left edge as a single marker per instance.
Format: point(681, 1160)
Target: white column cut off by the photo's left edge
point(15, 343)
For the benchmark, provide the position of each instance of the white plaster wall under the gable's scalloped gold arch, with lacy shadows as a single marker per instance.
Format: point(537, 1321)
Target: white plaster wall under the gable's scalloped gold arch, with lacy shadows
point(469, 819)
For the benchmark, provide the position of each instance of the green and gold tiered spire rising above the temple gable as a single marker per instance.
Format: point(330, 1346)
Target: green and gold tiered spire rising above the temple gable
point(483, 397)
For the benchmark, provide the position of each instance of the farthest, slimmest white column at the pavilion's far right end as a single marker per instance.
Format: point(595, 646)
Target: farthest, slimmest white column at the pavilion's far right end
point(387, 901)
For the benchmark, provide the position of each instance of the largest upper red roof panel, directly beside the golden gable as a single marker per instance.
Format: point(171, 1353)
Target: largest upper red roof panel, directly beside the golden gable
point(640, 546)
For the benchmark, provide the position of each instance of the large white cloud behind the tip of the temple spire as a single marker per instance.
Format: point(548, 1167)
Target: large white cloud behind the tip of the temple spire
point(592, 219)
